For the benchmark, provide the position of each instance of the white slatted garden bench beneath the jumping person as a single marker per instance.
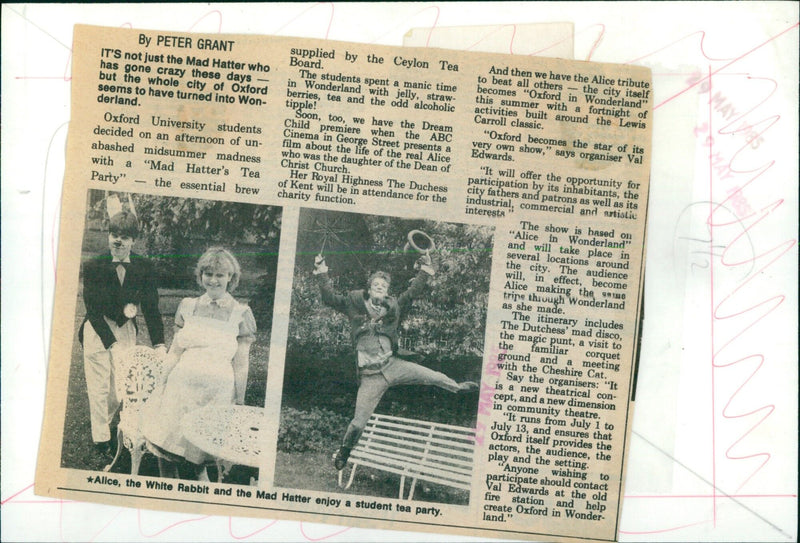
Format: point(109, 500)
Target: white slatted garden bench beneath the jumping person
point(419, 450)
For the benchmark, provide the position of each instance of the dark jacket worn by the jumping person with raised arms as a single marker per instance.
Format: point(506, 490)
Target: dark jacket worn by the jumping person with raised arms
point(353, 306)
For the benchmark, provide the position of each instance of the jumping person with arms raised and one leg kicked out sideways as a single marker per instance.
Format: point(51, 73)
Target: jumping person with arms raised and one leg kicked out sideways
point(374, 318)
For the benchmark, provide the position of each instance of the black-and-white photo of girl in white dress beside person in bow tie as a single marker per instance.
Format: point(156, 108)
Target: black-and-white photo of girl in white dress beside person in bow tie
point(172, 332)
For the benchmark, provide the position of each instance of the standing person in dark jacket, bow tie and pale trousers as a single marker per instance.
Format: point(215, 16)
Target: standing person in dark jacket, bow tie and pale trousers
point(115, 286)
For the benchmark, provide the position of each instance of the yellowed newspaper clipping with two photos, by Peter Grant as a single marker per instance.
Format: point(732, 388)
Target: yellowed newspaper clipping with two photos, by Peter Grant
point(363, 285)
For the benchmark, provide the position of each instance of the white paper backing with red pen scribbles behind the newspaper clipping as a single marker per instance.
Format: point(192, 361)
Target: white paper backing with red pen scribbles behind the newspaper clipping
point(714, 451)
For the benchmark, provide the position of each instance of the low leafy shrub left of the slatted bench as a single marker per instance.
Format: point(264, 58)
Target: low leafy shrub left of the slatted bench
point(315, 430)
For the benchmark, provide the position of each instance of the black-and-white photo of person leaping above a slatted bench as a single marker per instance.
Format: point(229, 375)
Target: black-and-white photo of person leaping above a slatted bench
point(383, 358)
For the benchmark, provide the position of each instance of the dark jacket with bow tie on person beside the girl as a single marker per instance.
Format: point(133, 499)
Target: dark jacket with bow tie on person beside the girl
point(105, 297)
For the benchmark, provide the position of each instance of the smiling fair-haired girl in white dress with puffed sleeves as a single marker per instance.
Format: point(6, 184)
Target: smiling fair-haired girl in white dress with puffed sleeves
point(206, 364)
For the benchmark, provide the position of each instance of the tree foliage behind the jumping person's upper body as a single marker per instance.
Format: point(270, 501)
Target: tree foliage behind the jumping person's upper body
point(447, 320)
